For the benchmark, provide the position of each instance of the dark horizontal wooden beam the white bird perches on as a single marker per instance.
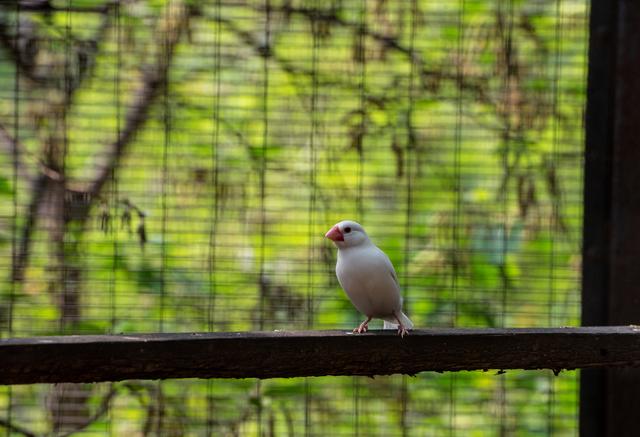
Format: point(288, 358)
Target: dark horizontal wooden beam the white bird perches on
point(91, 358)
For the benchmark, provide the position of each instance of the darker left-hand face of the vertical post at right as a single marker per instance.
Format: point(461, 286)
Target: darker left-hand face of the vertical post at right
point(598, 182)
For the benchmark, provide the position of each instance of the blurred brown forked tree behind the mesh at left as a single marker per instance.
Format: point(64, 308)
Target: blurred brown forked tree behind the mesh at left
point(53, 194)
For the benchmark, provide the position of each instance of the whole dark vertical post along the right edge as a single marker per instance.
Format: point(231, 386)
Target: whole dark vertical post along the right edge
point(611, 244)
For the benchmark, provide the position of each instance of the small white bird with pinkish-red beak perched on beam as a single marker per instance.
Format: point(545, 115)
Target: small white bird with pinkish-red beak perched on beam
point(367, 276)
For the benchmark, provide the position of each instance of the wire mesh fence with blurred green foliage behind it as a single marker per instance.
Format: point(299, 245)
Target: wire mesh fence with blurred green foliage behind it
point(172, 166)
